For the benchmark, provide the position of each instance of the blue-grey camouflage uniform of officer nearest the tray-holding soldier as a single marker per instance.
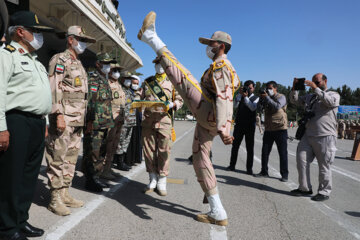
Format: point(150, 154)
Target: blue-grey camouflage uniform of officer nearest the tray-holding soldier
point(129, 122)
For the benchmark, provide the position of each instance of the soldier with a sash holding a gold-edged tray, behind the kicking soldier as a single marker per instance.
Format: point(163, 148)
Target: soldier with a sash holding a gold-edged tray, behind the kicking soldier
point(156, 127)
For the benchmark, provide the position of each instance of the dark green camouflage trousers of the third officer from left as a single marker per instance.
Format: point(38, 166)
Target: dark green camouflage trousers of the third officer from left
point(94, 152)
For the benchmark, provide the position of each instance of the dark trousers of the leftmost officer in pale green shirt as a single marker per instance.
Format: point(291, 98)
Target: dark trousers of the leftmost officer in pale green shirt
point(19, 169)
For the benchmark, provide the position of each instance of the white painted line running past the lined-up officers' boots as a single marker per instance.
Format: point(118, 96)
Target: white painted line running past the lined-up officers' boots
point(67, 223)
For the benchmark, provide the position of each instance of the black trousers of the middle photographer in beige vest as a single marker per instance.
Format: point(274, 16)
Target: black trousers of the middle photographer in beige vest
point(280, 138)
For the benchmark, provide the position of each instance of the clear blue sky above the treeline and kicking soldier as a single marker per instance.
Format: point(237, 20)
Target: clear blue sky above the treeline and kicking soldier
point(272, 39)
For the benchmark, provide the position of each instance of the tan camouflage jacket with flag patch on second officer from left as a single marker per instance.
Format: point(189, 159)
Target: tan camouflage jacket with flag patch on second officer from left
point(69, 86)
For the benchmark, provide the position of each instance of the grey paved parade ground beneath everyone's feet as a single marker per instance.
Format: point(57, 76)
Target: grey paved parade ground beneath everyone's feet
point(257, 208)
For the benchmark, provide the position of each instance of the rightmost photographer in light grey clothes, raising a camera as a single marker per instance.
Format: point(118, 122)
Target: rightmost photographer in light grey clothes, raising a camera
point(319, 137)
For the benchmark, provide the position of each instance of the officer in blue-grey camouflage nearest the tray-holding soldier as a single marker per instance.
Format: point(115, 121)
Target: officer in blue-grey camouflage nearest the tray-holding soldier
point(129, 84)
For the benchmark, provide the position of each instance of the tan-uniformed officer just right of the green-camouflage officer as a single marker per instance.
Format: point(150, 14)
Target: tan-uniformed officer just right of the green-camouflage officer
point(118, 106)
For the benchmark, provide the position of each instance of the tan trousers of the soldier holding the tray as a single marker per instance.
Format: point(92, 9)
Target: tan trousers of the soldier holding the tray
point(156, 148)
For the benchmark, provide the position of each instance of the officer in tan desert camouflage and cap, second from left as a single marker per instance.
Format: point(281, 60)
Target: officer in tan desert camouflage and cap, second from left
point(68, 81)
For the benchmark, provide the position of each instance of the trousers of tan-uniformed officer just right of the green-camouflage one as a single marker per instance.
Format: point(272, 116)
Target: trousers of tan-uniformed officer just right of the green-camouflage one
point(112, 141)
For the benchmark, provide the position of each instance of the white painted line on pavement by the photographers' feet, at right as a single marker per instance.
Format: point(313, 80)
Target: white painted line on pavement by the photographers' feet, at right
point(322, 207)
